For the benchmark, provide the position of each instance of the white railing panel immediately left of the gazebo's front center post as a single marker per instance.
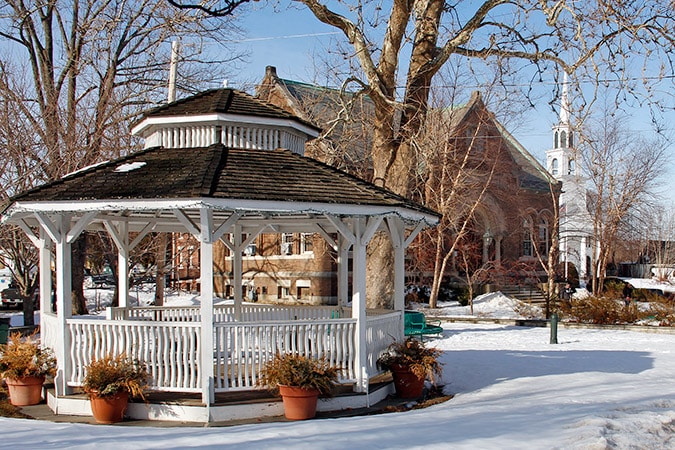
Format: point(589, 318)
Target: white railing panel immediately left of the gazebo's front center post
point(171, 350)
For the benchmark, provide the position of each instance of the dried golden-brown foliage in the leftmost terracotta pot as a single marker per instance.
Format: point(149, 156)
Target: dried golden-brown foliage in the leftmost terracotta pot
point(20, 359)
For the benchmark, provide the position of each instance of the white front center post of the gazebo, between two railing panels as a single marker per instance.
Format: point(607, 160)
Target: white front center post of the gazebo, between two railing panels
point(206, 286)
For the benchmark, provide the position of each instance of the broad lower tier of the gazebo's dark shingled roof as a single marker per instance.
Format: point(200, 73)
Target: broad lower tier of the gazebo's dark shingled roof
point(217, 172)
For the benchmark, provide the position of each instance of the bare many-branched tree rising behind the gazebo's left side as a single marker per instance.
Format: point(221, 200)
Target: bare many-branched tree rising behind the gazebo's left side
point(75, 74)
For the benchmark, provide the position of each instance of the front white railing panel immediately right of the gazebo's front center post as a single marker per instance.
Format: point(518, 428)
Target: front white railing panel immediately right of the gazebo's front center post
point(243, 348)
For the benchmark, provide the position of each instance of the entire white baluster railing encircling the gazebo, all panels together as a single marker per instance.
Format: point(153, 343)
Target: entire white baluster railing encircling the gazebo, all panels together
point(171, 348)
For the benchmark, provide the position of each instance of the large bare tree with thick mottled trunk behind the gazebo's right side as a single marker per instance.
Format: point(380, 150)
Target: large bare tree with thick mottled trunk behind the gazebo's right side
point(600, 41)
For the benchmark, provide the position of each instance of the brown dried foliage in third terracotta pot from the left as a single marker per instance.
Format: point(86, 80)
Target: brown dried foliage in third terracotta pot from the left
point(293, 369)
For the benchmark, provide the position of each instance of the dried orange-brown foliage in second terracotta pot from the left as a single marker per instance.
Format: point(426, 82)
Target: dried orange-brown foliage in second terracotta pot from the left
point(112, 374)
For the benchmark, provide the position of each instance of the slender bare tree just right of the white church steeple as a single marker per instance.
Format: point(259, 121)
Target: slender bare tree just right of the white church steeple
point(622, 167)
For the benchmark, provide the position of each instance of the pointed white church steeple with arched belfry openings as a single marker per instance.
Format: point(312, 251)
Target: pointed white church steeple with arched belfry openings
point(560, 160)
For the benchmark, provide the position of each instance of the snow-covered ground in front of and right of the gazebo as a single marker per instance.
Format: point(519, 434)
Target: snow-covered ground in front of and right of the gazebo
point(596, 389)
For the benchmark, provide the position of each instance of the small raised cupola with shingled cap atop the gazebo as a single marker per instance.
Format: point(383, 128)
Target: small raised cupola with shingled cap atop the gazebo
point(225, 116)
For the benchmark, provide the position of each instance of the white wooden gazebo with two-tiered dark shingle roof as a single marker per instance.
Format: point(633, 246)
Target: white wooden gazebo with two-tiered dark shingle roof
point(220, 165)
